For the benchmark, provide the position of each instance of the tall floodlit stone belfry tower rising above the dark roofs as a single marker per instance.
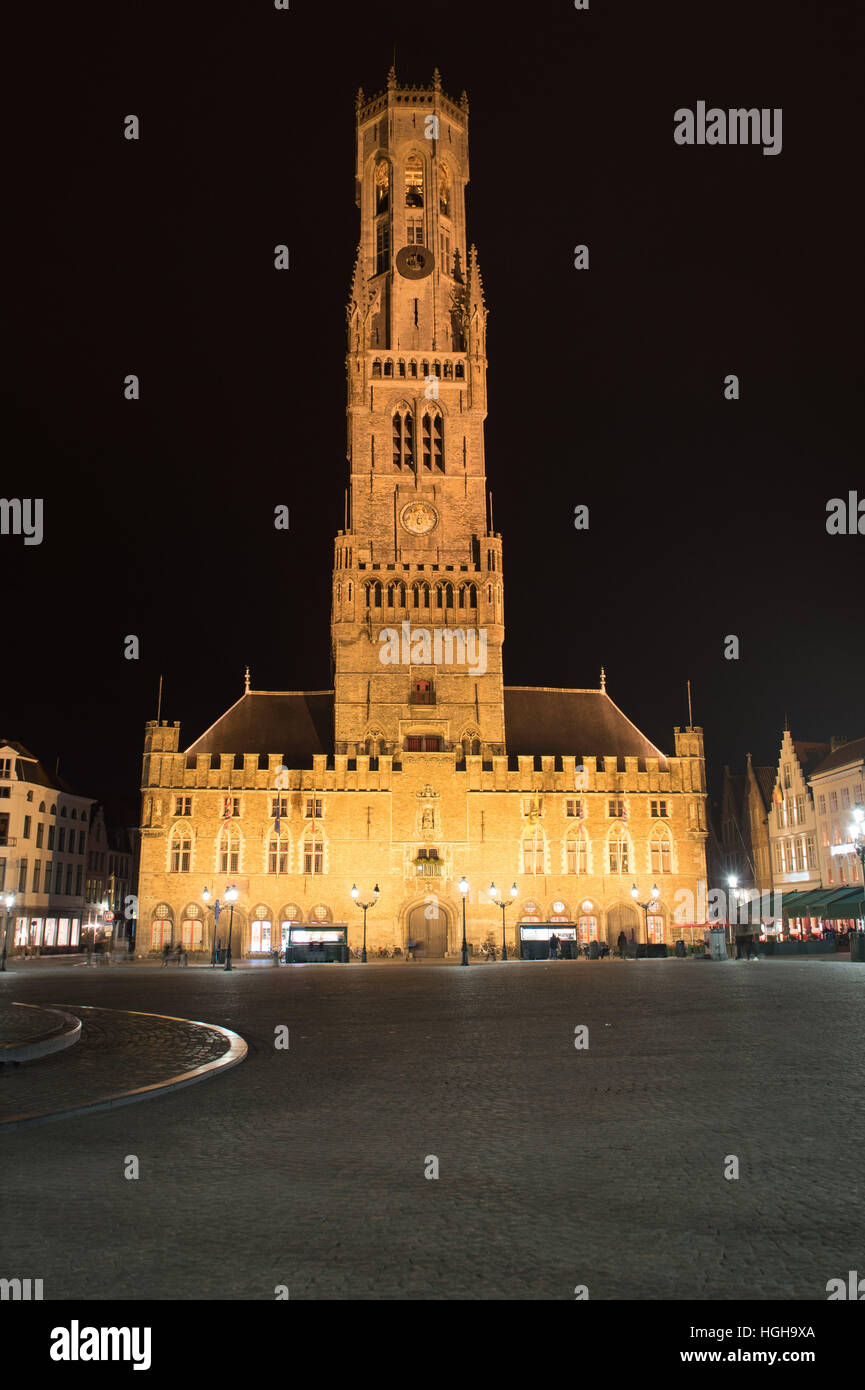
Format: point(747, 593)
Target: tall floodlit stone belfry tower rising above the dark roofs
point(418, 607)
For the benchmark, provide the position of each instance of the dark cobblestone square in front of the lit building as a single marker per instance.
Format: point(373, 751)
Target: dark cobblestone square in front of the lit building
point(557, 1167)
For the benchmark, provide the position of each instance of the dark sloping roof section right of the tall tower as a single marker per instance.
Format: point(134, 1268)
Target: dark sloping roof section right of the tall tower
point(572, 723)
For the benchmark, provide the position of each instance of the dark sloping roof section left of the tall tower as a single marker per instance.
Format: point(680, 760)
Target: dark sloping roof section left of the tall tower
point(293, 723)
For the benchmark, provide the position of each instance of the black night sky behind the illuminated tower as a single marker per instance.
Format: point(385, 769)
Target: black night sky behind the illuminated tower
point(709, 518)
